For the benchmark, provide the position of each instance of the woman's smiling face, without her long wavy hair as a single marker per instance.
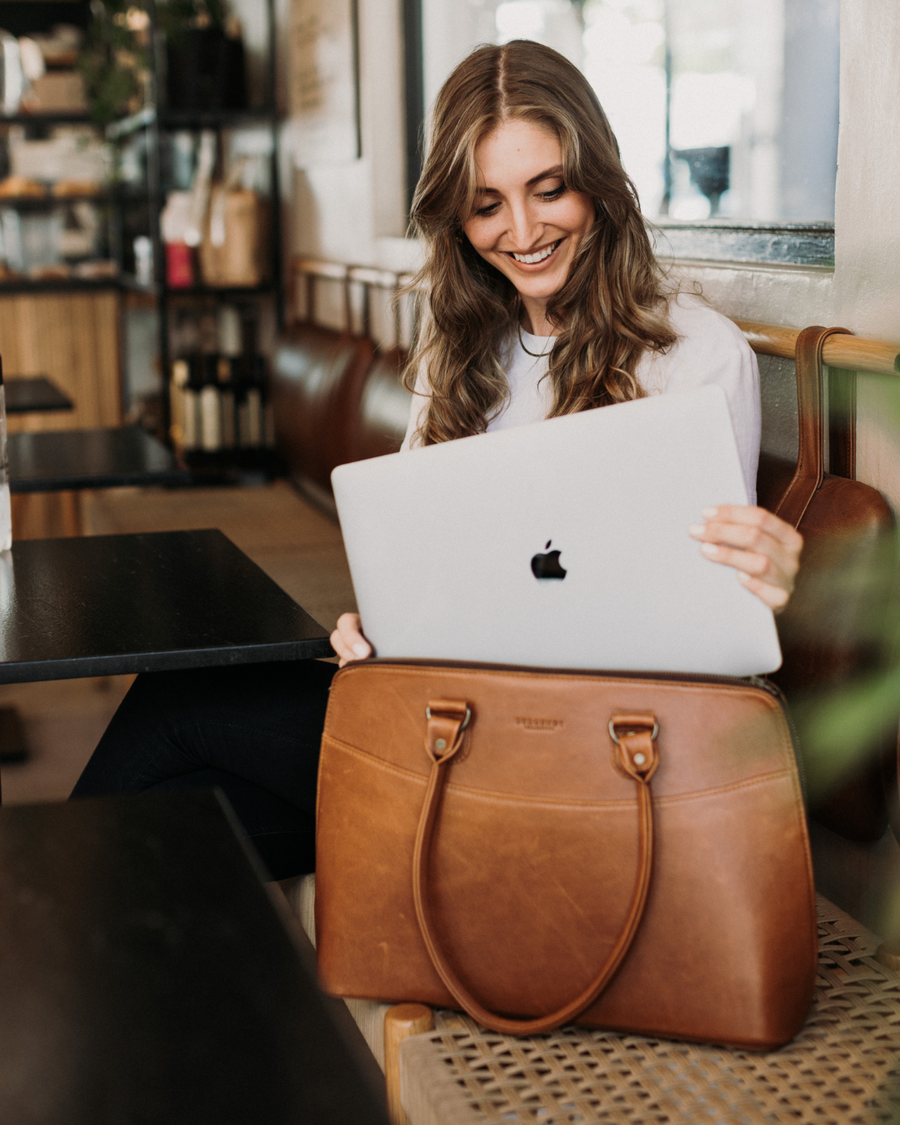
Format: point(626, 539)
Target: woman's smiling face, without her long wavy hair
point(526, 222)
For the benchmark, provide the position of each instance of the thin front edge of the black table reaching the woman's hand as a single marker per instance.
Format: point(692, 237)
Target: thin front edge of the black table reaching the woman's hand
point(127, 663)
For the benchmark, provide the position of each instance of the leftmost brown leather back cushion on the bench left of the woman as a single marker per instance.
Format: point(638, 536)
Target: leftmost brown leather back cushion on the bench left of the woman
point(318, 381)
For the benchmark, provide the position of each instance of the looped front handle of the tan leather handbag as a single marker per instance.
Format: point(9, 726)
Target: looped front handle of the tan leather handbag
point(637, 754)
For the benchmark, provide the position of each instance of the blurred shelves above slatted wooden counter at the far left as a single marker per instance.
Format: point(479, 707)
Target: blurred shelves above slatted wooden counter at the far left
point(60, 308)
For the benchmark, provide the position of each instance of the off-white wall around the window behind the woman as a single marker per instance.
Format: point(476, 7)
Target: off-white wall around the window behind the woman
point(352, 212)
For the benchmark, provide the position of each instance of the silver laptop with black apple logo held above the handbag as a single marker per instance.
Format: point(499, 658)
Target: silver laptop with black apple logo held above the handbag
point(560, 545)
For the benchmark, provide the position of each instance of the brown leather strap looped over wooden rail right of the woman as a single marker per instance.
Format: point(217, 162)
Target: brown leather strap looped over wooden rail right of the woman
point(811, 401)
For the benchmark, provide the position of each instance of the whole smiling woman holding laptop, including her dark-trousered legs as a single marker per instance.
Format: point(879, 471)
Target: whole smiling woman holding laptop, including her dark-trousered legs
point(545, 299)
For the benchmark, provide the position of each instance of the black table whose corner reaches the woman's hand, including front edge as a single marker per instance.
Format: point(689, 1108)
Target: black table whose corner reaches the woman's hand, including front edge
point(109, 605)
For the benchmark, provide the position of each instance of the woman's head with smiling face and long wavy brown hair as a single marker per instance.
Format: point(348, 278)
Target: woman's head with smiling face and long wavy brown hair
point(521, 158)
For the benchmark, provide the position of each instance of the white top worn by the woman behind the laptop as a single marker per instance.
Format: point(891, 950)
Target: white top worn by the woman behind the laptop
point(710, 349)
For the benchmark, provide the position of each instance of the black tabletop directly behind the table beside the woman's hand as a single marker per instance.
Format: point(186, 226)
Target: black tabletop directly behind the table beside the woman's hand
point(110, 458)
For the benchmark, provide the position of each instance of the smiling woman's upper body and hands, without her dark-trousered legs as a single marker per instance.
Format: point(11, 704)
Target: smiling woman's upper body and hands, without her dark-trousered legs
point(545, 295)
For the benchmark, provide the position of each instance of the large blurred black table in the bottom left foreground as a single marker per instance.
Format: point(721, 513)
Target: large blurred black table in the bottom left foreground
point(147, 978)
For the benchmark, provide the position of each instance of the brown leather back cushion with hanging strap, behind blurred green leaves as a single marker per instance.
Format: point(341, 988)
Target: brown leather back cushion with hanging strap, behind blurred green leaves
point(830, 632)
